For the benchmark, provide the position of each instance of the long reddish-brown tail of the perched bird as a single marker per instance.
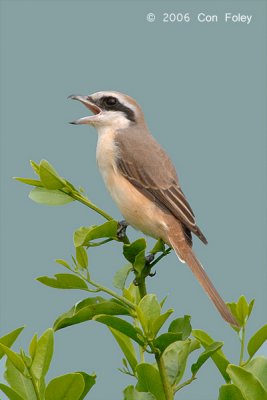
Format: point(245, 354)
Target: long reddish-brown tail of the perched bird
point(189, 257)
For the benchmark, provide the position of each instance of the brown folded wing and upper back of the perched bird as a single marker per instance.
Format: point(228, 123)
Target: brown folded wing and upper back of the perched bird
point(151, 171)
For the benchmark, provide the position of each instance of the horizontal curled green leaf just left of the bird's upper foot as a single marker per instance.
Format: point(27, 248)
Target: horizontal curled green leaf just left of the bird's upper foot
point(85, 234)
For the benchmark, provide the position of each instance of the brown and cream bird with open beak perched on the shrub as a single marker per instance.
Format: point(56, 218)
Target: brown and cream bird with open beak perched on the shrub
point(143, 182)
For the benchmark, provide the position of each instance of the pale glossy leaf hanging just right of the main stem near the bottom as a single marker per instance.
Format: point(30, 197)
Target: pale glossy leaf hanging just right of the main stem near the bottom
point(175, 359)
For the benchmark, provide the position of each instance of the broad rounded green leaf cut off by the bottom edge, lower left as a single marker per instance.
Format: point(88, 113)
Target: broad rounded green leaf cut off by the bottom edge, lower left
point(65, 387)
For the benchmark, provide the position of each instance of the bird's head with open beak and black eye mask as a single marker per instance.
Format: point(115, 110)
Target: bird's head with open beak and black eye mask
point(110, 109)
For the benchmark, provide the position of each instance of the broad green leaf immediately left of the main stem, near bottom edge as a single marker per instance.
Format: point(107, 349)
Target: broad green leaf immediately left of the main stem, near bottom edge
point(149, 380)
